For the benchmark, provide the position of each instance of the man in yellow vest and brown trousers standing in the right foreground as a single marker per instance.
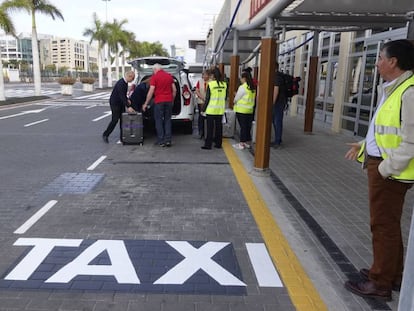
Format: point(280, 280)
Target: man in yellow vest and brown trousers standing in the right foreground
point(388, 155)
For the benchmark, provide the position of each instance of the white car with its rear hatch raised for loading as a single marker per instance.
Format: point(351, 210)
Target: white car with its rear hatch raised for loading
point(183, 106)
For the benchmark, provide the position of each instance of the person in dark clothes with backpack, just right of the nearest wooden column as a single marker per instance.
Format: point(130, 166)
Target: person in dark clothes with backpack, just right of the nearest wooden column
point(280, 100)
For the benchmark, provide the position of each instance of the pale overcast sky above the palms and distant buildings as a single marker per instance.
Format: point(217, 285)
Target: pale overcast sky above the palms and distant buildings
point(167, 21)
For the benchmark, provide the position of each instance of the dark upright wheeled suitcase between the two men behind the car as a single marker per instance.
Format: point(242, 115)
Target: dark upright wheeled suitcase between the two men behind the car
point(132, 129)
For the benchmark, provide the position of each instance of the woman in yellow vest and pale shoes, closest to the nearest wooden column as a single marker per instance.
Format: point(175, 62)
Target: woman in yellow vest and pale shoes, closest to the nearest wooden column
point(244, 102)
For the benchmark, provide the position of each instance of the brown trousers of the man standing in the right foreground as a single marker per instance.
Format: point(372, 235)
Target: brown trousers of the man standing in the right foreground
point(386, 200)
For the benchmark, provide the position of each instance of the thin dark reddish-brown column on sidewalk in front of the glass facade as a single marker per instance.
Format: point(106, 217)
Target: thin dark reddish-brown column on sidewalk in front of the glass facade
point(311, 94)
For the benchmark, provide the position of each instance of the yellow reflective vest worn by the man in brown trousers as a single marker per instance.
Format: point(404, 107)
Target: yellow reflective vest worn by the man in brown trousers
point(388, 127)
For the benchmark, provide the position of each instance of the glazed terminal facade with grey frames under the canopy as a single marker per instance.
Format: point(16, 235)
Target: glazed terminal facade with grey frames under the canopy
point(359, 95)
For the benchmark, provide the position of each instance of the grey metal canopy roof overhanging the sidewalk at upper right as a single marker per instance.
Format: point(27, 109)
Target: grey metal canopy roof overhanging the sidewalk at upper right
point(319, 15)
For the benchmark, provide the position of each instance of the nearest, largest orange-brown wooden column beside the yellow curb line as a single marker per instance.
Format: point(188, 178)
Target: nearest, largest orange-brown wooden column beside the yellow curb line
point(265, 103)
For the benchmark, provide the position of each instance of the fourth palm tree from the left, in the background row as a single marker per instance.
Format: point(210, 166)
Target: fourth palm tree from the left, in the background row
point(117, 37)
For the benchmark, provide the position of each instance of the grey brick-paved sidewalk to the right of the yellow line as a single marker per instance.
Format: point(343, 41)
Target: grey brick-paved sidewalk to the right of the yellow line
point(328, 207)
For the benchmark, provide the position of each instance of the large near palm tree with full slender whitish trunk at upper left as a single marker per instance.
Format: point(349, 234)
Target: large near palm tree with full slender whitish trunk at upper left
point(32, 7)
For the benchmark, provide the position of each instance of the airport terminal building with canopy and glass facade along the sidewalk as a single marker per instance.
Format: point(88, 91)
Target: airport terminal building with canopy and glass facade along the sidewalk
point(346, 46)
